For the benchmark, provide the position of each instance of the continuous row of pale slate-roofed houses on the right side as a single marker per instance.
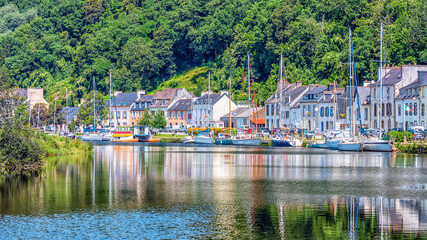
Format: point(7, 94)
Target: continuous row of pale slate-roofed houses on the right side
point(382, 103)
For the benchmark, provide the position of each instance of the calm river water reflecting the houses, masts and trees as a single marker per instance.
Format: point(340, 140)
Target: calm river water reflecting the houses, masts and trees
point(181, 192)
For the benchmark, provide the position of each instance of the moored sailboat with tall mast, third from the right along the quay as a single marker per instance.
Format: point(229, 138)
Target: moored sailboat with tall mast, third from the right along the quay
point(283, 139)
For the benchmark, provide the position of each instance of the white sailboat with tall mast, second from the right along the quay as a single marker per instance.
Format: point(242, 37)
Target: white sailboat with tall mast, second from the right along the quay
point(352, 144)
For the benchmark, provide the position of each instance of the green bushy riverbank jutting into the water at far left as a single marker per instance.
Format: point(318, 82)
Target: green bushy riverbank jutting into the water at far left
point(23, 148)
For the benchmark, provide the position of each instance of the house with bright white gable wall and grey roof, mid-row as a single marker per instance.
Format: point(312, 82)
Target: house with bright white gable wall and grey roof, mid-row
point(206, 113)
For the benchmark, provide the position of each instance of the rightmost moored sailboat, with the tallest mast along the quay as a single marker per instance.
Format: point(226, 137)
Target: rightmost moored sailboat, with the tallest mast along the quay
point(377, 144)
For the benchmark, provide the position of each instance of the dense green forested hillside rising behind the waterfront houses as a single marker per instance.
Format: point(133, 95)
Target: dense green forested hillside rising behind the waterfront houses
point(63, 43)
